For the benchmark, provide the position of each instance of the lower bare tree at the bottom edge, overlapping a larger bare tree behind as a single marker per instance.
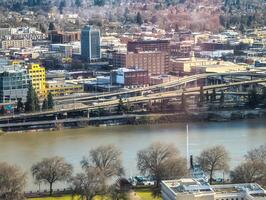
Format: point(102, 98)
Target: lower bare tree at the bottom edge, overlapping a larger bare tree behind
point(87, 184)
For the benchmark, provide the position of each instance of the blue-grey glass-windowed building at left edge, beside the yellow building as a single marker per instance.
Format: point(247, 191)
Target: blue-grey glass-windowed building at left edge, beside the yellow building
point(13, 83)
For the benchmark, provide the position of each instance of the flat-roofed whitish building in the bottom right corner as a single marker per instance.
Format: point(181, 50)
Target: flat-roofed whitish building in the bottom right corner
point(192, 189)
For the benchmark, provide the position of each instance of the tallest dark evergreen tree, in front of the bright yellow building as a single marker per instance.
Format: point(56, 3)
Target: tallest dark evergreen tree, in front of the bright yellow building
point(32, 102)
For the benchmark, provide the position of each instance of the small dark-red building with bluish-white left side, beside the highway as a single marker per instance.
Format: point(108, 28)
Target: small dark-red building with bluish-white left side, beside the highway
point(130, 77)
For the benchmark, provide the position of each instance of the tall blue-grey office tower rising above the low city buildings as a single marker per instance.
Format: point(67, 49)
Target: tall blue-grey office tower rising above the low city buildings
point(90, 43)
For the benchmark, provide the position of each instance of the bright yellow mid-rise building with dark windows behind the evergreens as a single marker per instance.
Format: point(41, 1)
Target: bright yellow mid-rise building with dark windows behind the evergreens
point(37, 75)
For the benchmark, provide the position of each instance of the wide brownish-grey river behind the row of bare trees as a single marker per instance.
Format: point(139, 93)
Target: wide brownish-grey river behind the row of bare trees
point(25, 149)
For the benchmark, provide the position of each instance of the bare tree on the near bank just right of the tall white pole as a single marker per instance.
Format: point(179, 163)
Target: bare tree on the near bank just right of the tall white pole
point(213, 159)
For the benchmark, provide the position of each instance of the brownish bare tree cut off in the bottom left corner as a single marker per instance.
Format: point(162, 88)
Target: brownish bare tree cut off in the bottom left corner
point(12, 182)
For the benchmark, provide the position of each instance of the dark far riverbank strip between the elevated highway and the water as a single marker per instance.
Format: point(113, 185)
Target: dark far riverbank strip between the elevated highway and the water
point(136, 119)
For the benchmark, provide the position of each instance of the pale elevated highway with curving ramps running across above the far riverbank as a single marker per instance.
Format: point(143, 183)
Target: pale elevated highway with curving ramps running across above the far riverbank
point(140, 98)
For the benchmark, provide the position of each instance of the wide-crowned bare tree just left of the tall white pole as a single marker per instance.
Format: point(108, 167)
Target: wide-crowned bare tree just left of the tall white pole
point(161, 161)
